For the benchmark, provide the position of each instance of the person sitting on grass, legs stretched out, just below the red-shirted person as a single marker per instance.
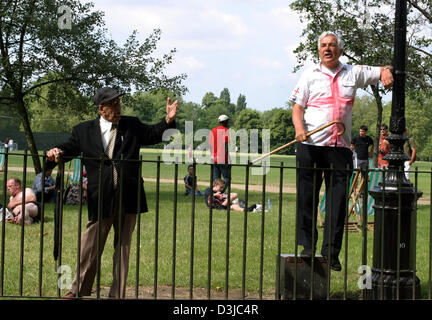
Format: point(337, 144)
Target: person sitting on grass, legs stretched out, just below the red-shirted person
point(221, 201)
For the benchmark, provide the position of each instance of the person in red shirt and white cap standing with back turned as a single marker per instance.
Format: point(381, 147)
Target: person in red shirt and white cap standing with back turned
point(219, 138)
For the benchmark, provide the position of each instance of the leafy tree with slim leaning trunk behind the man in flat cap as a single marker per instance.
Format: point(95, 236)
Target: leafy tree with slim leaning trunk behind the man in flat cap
point(33, 43)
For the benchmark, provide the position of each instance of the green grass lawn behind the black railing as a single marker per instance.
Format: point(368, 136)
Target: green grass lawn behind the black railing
point(258, 227)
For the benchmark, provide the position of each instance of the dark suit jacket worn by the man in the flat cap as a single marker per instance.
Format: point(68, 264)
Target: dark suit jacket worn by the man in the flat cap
point(131, 135)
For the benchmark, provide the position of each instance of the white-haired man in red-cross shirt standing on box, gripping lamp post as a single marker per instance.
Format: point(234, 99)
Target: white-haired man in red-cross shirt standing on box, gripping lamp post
point(326, 93)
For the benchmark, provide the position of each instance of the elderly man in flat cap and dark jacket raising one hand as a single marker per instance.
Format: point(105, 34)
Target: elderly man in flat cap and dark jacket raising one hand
point(111, 136)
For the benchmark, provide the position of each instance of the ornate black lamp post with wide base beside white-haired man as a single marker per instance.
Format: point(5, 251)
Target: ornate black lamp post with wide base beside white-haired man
point(393, 270)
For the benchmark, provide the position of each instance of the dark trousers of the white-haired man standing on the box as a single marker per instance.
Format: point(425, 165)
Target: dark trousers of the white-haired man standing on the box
point(341, 158)
